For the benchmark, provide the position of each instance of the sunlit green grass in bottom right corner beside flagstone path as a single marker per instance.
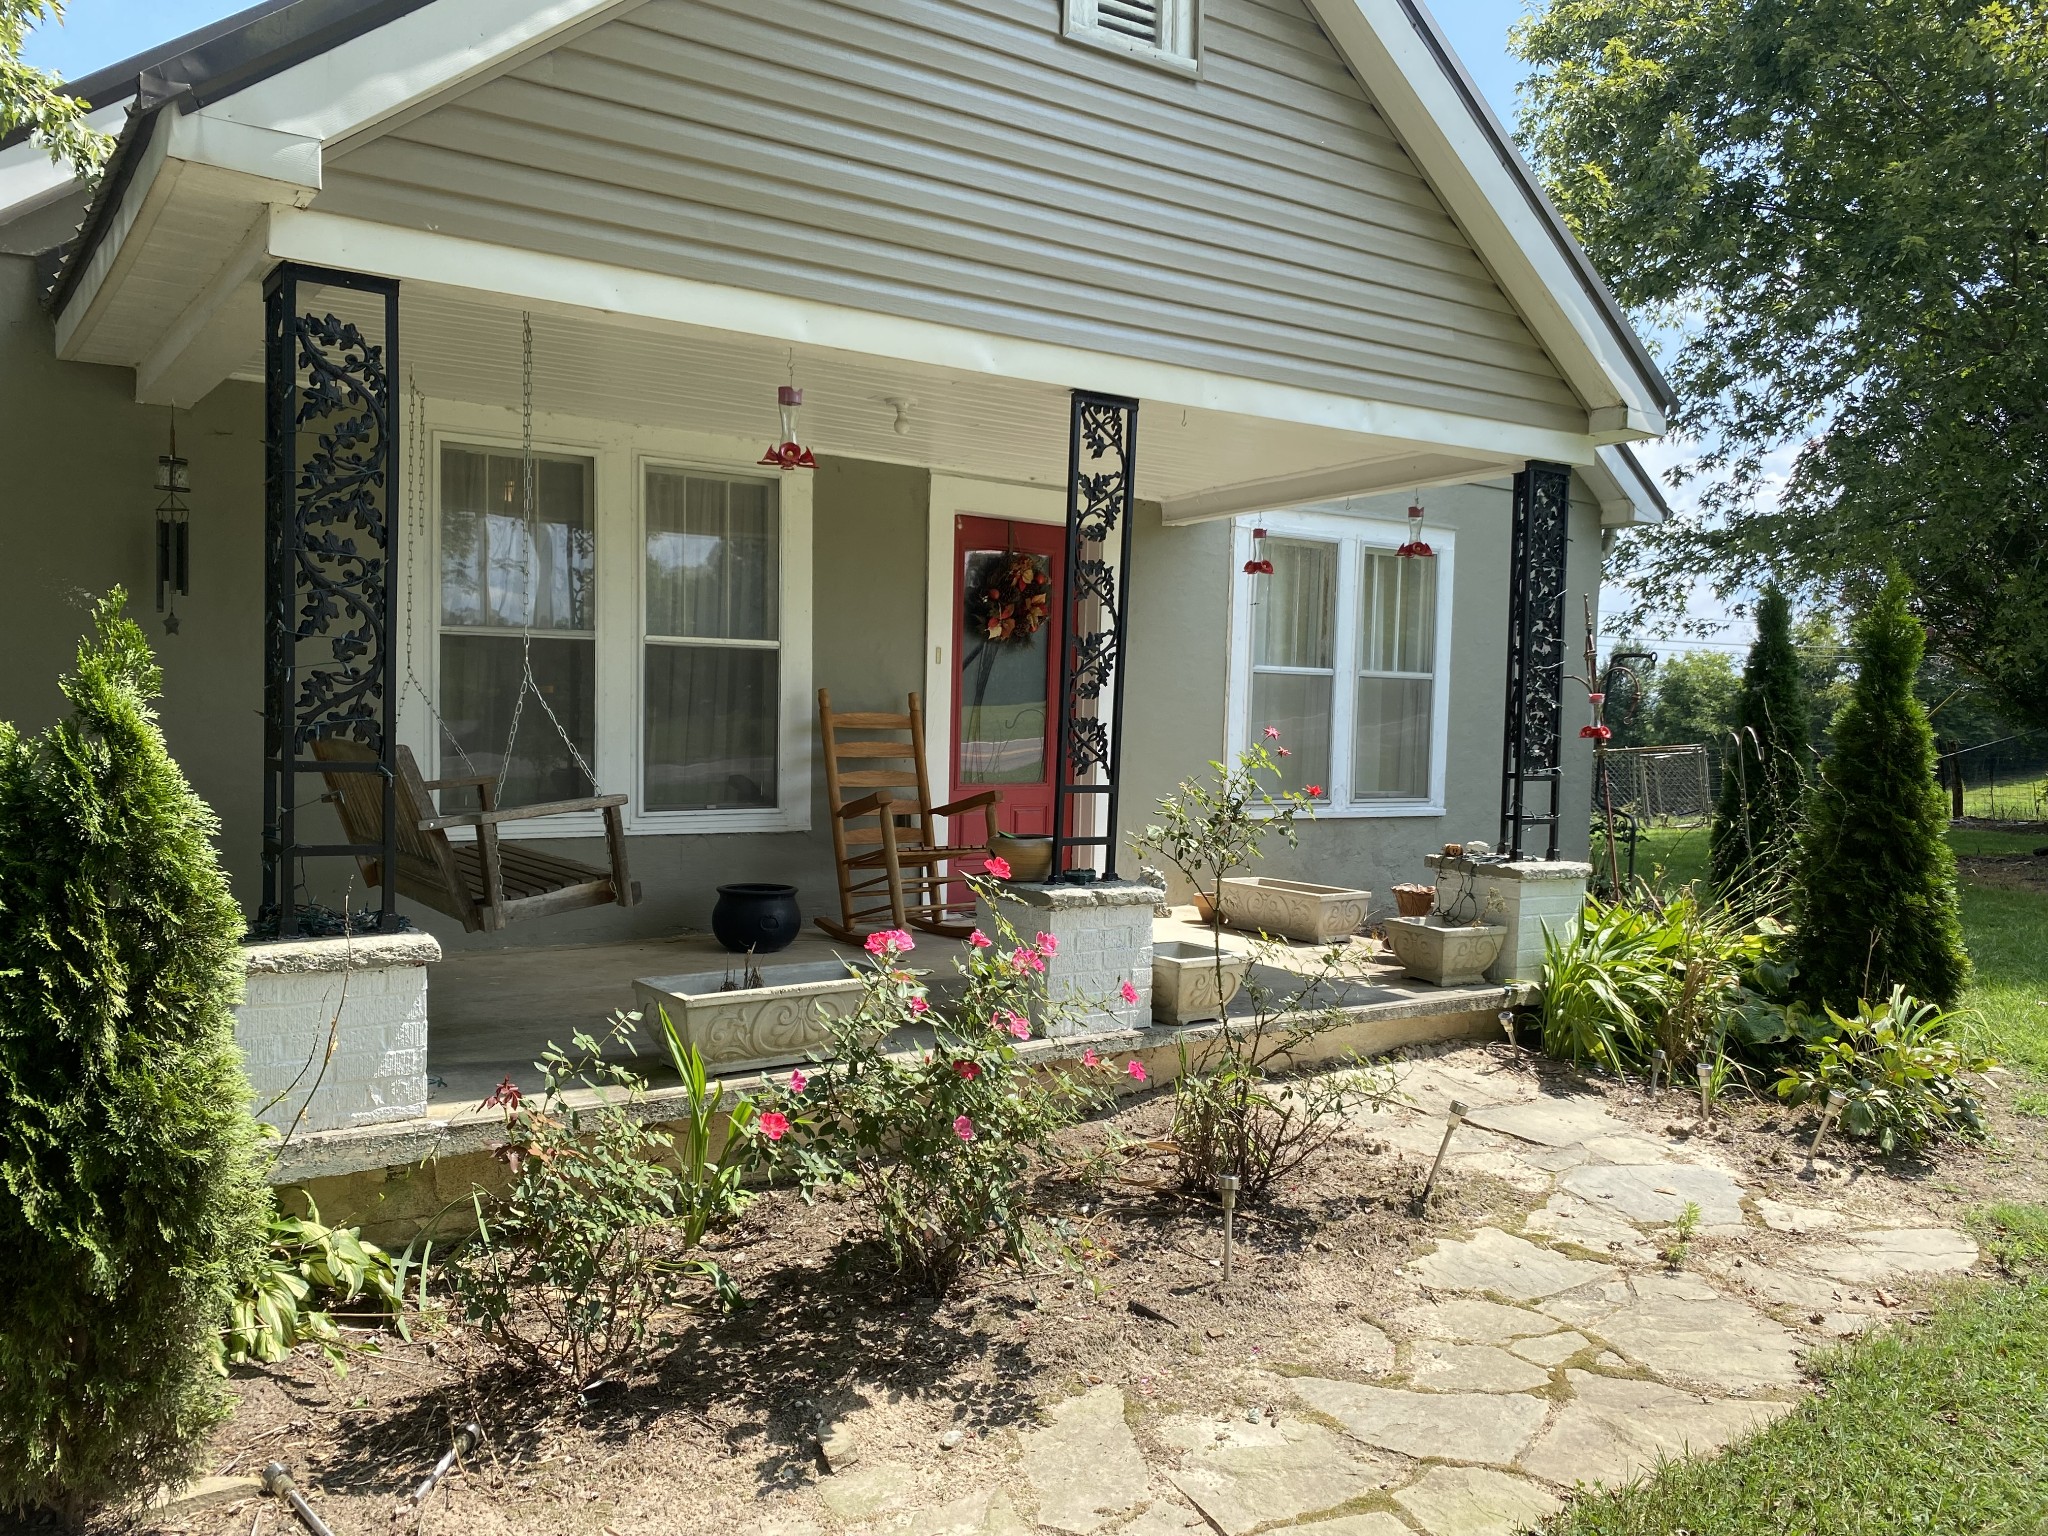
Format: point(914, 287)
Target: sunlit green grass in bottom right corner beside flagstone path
point(1940, 1428)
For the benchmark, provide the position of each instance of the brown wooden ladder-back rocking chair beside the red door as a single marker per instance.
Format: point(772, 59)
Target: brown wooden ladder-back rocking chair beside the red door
point(892, 871)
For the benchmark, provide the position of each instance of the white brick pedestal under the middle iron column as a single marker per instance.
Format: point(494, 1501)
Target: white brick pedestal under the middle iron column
point(1105, 941)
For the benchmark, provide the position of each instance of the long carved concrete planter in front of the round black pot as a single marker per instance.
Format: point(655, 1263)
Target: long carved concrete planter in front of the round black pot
point(775, 1025)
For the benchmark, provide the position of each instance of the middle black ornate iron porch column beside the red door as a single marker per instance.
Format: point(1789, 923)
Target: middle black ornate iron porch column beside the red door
point(1103, 443)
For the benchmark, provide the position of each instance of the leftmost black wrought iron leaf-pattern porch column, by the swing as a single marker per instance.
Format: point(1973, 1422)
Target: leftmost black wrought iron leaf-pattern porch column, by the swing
point(331, 548)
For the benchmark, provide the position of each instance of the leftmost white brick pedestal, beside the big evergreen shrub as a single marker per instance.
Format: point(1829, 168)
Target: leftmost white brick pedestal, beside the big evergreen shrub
point(370, 996)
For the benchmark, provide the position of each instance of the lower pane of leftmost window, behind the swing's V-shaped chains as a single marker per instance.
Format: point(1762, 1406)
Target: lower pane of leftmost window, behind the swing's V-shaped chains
point(480, 681)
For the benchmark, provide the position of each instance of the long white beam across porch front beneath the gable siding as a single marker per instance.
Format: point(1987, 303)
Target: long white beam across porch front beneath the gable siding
point(538, 282)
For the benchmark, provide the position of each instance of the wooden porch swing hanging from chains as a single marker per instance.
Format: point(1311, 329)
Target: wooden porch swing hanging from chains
point(482, 884)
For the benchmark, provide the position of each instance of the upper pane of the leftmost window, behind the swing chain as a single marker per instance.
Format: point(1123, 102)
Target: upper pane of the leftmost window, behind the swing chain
point(503, 568)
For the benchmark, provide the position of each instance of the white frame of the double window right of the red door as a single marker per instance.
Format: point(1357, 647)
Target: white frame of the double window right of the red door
point(1353, 536)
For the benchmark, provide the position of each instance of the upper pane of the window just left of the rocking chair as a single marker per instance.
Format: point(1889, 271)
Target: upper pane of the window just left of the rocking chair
point(712, 556)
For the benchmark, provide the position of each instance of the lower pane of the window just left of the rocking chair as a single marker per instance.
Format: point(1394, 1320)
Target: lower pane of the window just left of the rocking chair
point(712, 728)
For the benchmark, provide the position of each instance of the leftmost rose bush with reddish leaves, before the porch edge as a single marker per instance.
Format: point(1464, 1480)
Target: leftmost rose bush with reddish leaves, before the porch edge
point(572, 1269)
